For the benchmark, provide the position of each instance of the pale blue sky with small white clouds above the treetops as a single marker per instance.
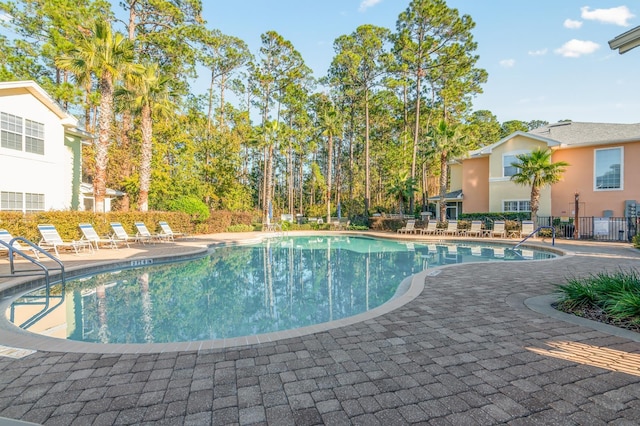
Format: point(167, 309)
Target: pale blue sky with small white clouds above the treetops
point(546, 60)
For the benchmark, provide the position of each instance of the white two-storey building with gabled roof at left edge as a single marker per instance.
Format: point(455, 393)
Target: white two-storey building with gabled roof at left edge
point(40, 151)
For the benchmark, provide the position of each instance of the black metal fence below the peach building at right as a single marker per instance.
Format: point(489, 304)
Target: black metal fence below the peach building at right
point(594, 228)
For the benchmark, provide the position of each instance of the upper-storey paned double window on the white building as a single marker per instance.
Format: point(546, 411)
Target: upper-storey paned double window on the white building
point(12, 133)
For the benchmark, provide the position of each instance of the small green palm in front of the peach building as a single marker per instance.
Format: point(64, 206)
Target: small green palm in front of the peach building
point(535, 169)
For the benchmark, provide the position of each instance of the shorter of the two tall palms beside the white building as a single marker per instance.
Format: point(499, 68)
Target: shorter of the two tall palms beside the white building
point(149, 94)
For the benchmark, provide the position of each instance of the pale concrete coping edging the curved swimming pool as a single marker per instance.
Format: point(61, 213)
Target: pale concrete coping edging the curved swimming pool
point(413, 286)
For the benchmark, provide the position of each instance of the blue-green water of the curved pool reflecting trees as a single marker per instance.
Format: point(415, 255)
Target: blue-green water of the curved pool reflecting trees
point(279, 284)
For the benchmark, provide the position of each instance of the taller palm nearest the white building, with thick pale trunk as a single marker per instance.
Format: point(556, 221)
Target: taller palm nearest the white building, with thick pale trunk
point(104, 55)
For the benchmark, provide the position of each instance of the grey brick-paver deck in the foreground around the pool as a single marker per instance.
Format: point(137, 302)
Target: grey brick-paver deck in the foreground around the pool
point(466, 351)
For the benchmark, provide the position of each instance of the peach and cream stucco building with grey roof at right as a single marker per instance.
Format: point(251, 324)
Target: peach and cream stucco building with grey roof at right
point(604, 170)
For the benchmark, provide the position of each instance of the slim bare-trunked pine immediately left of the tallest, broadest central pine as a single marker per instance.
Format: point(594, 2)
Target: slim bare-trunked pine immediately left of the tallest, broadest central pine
point(360, 62)
